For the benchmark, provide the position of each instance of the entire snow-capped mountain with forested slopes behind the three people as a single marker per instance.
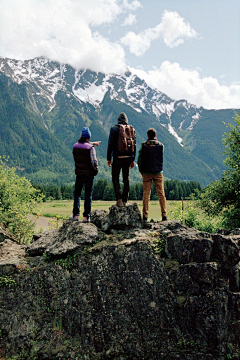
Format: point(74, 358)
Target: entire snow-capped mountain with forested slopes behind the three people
point(44, 97)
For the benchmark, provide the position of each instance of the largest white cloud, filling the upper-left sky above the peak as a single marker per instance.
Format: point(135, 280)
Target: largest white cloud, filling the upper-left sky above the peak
point(62, 31)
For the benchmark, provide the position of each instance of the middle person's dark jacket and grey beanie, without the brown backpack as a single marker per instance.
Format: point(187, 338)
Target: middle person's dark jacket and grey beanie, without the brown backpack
point(112, 150)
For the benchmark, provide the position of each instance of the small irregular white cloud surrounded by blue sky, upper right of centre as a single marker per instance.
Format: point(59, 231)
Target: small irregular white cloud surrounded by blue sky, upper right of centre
point(173, 30)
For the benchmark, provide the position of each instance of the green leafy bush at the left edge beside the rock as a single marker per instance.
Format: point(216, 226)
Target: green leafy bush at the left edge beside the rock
point(18, 199)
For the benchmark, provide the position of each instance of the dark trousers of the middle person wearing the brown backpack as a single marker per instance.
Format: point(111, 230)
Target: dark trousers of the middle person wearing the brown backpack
point(118, 165)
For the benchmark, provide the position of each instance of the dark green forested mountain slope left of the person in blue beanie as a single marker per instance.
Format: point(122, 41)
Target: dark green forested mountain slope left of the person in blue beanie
point(31, 148)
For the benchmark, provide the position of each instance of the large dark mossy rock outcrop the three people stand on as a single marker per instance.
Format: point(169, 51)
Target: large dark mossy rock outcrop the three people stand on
point(121, 291)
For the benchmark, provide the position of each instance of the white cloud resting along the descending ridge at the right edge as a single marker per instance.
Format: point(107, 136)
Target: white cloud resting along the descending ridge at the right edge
point(180, 83)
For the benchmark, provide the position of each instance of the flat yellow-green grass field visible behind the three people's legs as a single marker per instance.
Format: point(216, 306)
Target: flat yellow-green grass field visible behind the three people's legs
point(62, 208)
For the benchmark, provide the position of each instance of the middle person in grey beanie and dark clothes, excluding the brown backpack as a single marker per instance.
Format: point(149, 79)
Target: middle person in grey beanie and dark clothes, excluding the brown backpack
point(120, 162)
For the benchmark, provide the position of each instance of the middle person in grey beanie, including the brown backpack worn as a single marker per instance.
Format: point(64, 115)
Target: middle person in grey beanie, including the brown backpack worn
point(122, 148)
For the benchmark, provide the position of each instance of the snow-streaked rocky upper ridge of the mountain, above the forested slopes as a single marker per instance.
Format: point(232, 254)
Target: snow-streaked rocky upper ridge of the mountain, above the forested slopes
point(47, 78)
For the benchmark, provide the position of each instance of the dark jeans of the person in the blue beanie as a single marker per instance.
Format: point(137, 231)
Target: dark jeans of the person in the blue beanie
point(80, 181)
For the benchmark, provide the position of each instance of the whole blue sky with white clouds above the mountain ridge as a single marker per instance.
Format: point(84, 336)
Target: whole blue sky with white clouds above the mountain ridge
point(188, 49)
